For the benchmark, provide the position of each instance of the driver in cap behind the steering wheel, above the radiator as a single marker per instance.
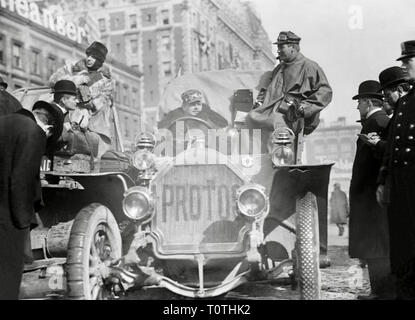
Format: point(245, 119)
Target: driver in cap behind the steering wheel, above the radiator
point(193, 107)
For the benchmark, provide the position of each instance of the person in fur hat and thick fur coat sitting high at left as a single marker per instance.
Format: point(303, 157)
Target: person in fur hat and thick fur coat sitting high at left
point(96, 90)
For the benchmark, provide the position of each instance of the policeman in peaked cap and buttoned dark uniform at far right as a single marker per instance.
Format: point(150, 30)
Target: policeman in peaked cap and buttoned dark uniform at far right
point(398, 172)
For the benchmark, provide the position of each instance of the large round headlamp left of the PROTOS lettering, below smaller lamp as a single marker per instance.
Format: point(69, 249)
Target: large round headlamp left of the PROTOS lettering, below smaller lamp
point(138, 204)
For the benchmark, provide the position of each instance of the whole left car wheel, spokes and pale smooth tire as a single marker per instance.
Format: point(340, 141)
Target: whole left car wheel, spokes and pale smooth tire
point(94, 242)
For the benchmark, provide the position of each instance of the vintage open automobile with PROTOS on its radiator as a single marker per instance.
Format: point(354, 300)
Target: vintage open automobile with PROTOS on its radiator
point(199, 213)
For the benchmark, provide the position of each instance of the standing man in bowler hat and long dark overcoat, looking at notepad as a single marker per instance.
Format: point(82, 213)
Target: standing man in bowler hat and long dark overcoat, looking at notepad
point(368, 223)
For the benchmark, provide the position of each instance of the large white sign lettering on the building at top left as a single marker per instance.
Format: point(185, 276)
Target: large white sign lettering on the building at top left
point(45, 18)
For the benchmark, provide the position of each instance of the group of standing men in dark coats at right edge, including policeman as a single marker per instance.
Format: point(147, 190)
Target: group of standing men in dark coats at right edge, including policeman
point(382, 219)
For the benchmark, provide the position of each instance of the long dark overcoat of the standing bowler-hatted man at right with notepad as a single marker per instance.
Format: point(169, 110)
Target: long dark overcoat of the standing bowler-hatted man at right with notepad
point(368, 227)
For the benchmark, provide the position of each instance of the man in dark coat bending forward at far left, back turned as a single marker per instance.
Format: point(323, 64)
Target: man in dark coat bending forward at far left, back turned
point(24, 136)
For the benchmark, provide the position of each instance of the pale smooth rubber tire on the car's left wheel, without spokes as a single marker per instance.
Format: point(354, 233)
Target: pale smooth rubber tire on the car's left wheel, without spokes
point(79, 246)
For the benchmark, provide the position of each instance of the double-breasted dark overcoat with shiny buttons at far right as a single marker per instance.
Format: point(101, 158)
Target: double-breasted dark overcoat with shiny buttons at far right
point(398, 173)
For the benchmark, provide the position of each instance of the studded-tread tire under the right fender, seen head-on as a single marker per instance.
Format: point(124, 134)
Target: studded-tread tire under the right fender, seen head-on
point(308, 248)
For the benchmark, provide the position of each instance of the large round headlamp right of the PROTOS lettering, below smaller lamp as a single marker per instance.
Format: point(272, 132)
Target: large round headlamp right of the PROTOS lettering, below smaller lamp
point(252, 201)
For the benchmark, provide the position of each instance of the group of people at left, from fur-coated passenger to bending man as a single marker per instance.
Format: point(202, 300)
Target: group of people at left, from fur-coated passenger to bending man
point(78, 120)
